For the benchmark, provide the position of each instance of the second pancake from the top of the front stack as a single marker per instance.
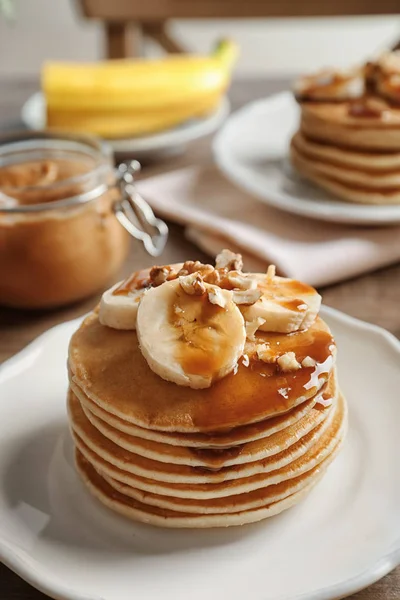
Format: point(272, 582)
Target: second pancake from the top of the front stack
point(233, 437)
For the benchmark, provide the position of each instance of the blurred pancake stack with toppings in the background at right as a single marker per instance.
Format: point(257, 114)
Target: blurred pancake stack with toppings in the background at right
point(349, 137)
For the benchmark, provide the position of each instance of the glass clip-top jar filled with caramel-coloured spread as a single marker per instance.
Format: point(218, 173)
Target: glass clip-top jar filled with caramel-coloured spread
point(65, 219)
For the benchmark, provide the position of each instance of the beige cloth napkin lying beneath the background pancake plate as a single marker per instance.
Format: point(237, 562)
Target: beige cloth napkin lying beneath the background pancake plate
point(219, 215)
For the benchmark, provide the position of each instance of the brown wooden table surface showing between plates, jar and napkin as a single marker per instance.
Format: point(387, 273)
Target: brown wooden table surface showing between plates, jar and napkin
point(374, 297)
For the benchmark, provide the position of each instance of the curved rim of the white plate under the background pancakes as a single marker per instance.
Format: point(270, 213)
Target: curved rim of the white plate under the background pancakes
point(353, 213)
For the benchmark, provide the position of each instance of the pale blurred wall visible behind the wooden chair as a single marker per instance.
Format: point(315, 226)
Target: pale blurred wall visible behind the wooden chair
point(53, 28)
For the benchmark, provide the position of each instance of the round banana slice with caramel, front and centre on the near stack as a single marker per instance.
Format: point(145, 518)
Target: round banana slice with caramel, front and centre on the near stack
point(187, 339)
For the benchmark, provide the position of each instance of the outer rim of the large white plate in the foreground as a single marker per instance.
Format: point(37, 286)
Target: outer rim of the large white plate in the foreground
point(36, 575)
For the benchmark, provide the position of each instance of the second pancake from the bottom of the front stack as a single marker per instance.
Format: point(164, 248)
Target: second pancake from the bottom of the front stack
point(323, 447)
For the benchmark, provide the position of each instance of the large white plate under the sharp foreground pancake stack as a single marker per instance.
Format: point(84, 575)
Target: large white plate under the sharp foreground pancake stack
point(341, 538)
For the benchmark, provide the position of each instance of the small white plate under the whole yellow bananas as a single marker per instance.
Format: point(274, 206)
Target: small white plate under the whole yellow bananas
point(33, 115)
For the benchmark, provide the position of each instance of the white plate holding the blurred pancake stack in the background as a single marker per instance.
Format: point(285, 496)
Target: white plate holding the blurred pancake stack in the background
point(252, 150)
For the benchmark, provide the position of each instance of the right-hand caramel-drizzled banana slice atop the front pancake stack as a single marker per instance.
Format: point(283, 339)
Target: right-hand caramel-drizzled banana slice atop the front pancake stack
point(286, 305)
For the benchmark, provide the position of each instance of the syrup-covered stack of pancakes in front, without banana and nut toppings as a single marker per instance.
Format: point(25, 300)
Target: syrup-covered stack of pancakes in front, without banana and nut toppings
point(248, 447)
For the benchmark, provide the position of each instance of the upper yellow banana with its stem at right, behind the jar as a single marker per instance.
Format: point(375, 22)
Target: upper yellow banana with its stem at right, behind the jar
point(138, 84)
